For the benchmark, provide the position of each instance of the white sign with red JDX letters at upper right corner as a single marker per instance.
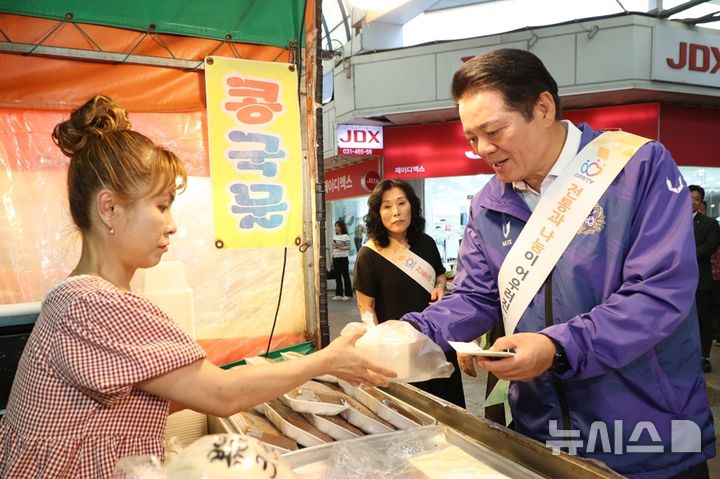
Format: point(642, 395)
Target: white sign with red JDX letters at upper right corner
point(684, 56)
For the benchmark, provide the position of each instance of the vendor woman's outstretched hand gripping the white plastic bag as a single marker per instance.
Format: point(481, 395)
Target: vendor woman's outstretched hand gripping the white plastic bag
point(352, 365)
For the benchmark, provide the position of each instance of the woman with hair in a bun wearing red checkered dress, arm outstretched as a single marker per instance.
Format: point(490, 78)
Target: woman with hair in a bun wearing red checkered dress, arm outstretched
point(102, 364)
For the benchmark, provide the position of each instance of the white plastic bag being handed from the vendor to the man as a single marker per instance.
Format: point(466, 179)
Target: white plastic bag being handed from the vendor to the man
point(402, 348)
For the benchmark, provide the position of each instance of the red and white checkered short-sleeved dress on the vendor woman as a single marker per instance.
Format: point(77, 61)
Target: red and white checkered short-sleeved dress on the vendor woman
point(73, 411)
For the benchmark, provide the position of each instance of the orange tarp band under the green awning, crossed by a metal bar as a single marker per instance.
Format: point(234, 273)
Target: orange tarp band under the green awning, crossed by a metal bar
point(35, 82)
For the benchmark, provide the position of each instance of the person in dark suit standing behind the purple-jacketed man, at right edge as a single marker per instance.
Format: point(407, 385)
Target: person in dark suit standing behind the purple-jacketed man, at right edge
point(707, 240)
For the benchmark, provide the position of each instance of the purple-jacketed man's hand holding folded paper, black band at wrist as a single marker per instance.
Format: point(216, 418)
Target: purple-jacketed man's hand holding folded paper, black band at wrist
point(533, 356)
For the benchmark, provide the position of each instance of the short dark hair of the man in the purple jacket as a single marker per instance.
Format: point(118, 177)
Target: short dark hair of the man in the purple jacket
point(518, 74)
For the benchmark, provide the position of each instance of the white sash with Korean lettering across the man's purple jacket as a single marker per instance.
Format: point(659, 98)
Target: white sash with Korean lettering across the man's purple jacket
point(558, 217)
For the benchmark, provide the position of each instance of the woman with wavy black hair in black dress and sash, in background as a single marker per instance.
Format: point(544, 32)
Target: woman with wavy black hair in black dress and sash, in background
point(395, 225)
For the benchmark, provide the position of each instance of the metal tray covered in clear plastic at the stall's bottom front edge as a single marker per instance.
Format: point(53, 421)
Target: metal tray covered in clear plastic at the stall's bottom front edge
point(387, 455)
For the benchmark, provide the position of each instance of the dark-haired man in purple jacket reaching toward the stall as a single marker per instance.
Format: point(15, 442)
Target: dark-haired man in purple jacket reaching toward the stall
point(607, 350)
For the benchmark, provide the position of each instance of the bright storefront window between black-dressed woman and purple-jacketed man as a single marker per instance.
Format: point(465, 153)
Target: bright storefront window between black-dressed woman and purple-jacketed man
point(446, 209)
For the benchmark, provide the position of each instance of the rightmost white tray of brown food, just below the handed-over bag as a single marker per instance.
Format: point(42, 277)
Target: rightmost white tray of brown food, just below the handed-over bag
point(397, 413)
